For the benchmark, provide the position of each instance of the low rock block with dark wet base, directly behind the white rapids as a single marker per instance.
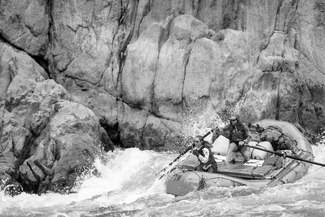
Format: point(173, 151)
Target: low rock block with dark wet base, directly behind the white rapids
point(139, 128)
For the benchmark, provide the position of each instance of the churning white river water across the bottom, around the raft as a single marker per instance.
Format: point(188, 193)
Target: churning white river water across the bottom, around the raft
point(129, 186)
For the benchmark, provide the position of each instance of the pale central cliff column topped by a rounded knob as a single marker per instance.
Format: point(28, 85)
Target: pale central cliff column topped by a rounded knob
point(171, 67)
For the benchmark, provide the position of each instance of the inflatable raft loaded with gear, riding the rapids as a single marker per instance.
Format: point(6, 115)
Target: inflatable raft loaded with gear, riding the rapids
point(255, 173)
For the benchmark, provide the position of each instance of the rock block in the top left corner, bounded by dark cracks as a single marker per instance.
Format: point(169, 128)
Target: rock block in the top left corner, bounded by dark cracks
point(25, 24)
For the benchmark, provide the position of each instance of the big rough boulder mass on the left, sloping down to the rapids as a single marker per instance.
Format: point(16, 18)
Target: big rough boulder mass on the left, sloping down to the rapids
point(45, 137)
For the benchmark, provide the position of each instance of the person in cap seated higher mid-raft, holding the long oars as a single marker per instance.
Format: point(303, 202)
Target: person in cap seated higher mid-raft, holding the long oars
point(238, 135)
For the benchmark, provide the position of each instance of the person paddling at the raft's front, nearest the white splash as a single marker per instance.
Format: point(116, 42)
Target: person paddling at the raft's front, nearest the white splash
point(205, 156)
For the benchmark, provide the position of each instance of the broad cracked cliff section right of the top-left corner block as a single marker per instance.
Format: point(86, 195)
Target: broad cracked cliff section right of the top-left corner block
point(94, 35)
